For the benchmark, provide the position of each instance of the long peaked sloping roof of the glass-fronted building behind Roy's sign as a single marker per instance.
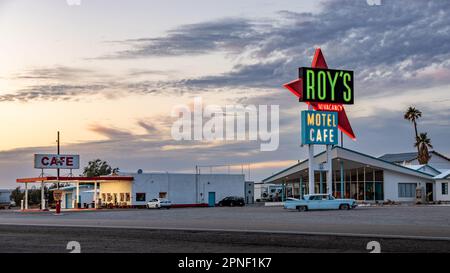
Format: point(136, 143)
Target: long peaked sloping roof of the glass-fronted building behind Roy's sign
point(344, 152)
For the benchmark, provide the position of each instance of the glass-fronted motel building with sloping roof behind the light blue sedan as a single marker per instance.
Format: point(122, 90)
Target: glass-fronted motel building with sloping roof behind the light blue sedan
point(394, 177)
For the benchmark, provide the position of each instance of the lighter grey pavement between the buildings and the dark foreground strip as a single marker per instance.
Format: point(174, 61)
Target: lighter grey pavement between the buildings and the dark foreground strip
point(431, 222)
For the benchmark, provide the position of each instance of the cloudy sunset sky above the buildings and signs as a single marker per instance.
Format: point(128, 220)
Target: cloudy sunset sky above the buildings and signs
point(107, 74)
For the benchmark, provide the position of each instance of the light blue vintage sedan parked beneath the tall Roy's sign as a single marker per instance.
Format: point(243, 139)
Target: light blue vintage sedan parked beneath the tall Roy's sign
point(320, 202)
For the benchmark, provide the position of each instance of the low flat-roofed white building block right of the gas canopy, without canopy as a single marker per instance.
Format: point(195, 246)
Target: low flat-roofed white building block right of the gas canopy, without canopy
point(180, 188)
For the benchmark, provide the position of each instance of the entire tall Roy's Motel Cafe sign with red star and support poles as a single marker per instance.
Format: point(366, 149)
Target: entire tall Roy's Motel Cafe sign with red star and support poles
point(325, 91)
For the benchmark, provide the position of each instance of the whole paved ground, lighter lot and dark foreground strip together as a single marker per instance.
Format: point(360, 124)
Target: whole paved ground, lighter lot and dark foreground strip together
point(248, 229)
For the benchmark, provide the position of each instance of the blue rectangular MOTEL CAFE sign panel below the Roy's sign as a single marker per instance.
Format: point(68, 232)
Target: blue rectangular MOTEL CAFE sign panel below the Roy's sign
point(319, 127)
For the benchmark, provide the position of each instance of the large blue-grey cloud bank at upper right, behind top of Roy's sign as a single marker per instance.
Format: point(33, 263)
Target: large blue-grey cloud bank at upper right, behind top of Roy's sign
point(400, 44)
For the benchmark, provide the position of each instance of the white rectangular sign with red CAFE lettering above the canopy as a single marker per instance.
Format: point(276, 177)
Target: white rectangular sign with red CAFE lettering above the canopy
point(55, 161)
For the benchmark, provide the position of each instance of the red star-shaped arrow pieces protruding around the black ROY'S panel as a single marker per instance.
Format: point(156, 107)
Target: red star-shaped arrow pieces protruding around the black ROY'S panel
point(296, 87)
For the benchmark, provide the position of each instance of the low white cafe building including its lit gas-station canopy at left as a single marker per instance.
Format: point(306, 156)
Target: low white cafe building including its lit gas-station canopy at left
point(136, 189)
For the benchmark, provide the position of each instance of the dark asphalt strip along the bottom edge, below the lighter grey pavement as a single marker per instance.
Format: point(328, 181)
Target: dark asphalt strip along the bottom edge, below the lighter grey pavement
point(44, 239)
